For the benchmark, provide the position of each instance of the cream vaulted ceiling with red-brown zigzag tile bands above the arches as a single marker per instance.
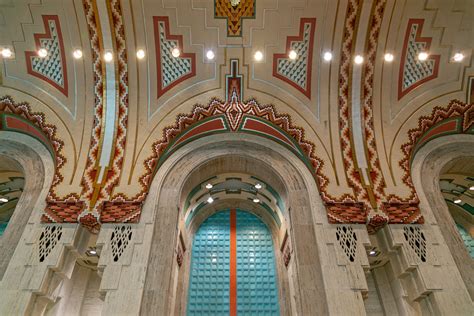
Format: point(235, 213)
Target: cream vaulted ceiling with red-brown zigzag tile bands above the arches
point(106, 115)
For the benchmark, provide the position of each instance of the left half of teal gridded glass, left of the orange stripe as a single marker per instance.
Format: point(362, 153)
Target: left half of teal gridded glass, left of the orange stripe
point(209, 280)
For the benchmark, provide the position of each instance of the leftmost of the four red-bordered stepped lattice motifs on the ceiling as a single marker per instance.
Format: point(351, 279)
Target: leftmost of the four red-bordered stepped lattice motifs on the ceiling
point(51, 68)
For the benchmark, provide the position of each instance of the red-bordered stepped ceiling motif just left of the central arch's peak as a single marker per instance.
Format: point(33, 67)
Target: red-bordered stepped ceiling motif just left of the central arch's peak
point(170, 70)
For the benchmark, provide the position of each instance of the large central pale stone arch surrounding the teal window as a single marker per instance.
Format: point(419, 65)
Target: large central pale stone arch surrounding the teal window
point(165, 196)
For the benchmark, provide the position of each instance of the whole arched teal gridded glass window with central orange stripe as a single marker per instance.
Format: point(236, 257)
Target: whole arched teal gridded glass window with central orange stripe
point(233, 267)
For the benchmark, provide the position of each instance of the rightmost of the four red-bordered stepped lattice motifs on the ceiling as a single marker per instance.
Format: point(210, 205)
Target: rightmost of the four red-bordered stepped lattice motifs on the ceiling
point(414, 72)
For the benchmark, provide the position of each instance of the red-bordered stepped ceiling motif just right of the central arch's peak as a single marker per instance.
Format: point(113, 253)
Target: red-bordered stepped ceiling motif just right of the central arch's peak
point(297, 72)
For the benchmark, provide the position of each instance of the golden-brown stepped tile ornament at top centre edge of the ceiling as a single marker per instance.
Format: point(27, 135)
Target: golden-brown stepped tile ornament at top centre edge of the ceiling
point(234, 14)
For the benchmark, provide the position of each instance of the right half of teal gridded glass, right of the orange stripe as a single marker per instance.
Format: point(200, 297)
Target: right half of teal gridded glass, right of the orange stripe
point(257, 289)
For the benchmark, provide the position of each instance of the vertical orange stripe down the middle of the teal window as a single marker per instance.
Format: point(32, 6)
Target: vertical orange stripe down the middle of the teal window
point(233, 263)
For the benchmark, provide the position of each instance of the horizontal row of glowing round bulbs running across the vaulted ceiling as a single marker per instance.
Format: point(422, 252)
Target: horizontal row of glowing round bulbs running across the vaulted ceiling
point(210, 55)
